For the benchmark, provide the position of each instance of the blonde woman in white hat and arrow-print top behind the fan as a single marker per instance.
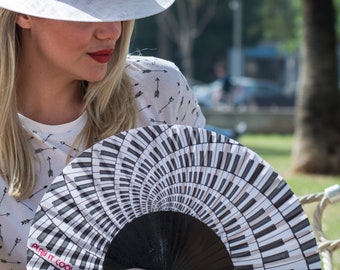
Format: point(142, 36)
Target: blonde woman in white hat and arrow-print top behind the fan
point(66, 81)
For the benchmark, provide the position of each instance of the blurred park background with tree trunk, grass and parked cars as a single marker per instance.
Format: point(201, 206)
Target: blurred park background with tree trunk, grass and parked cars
point(269, 67)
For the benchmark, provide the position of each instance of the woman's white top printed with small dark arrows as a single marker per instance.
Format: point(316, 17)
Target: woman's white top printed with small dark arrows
point(162, 95)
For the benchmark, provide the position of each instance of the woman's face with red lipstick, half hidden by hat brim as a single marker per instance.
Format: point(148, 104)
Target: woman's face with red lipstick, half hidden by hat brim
point(71, 50)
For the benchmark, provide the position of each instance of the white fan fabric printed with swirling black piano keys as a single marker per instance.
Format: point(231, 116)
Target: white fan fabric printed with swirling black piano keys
point(171, 168)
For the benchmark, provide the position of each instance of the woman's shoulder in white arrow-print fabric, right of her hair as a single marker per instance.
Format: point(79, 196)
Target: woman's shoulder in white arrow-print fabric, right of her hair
point(162, 93)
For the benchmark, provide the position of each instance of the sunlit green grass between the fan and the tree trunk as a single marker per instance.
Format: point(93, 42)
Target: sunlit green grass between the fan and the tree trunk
point(276, 149)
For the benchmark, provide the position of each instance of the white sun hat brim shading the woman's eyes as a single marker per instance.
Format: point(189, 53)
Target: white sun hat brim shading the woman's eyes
point(88, 10)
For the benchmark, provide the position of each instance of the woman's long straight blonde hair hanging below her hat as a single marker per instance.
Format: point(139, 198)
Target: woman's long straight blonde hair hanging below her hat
point(109, 103)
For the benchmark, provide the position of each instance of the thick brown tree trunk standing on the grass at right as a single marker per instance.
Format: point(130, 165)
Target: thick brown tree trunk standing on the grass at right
point(317, 127)
